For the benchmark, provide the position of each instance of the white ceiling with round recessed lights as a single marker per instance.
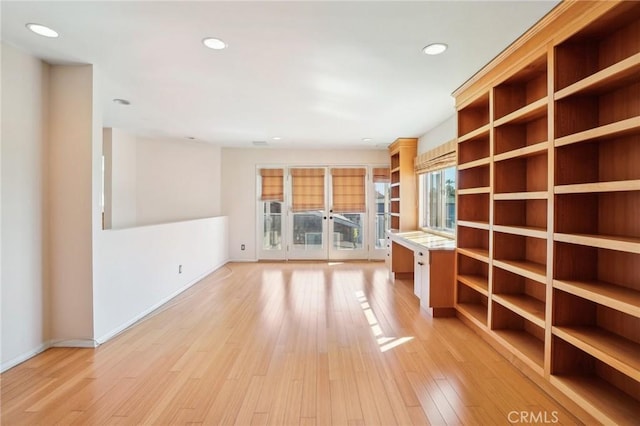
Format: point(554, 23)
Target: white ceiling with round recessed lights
point(316, 74)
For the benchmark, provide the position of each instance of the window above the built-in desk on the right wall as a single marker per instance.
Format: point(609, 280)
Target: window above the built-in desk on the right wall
point(438, 200)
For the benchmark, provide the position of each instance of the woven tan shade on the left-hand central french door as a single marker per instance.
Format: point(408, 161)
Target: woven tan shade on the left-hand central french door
point(307, 189)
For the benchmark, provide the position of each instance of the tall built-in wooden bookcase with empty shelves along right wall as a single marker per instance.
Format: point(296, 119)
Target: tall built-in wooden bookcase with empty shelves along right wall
point(548, 231)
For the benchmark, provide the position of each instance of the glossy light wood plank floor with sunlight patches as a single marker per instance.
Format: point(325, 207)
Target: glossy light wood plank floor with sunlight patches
point(284, 343)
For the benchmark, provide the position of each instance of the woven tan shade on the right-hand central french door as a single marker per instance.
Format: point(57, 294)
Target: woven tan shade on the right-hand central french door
point(348, 187)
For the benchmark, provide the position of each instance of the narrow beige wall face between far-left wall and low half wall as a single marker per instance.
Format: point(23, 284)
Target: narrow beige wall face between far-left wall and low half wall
point(71, 181)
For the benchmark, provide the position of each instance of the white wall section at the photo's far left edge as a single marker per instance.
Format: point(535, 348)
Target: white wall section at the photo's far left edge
point(23, 226)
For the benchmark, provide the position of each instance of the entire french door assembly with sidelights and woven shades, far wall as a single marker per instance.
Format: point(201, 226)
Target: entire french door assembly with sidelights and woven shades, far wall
point(322, 213)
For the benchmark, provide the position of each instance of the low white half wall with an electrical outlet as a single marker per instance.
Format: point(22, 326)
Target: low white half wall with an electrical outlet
point(137, 269)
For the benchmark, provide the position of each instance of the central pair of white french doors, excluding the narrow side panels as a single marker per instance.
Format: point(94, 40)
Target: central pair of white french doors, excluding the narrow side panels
point(328, 213)
